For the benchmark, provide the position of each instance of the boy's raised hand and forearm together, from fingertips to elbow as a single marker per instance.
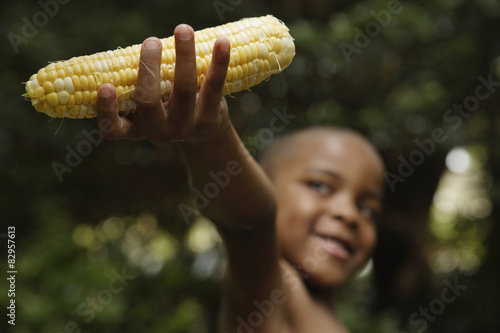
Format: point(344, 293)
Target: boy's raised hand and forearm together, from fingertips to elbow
point(243, 196)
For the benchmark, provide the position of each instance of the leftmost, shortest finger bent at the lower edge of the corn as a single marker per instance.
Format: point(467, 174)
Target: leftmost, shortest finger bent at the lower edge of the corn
point(111, 125)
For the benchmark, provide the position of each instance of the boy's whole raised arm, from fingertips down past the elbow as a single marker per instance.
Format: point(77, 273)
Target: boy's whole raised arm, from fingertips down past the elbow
point(244, 207)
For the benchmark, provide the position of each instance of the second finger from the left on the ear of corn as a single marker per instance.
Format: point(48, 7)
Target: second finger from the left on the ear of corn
point(147, 90)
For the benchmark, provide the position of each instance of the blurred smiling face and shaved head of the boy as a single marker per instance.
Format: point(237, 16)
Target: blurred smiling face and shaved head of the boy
point(329, 194)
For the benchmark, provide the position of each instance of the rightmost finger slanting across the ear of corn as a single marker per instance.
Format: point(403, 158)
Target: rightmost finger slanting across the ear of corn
point(213, 87)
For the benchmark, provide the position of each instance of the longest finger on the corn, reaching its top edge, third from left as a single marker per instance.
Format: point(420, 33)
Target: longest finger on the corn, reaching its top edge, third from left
point(183, 97)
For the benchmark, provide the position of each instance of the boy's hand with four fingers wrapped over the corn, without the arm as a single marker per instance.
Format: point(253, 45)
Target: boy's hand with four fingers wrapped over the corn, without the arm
point(186, 115)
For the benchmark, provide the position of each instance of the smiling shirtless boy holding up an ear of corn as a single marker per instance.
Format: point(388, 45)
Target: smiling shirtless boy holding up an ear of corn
point(293, 235)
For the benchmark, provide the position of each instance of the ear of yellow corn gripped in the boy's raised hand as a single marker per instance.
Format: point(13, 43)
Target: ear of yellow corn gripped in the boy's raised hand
point(260, 47)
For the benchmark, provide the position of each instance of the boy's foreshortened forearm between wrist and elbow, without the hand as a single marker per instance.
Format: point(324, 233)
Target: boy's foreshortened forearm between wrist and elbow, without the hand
point(235, 189)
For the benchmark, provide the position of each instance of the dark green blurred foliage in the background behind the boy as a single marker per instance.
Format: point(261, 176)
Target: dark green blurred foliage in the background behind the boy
point(118, 209)
